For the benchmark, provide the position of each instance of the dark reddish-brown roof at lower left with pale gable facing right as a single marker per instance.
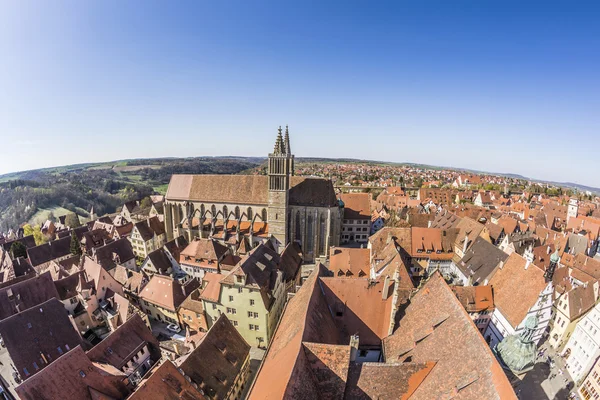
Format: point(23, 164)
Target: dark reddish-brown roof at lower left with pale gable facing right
point(119, 347)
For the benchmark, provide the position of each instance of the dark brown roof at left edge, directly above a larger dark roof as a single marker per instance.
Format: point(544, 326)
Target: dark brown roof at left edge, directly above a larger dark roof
point(20, 296)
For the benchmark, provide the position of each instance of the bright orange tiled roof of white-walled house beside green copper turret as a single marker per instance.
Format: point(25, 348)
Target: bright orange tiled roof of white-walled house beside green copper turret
point(516, 277)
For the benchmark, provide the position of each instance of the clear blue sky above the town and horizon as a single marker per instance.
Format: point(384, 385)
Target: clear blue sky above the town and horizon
point(502, 86)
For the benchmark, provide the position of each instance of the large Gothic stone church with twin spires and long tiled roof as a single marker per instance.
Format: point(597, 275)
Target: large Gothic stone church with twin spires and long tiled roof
point(242, 211)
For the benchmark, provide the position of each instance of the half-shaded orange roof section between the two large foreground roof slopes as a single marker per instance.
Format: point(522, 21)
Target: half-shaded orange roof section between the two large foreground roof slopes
point(359, 307)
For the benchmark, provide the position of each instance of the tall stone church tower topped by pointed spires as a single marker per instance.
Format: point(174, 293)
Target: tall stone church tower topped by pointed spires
point(280, 168)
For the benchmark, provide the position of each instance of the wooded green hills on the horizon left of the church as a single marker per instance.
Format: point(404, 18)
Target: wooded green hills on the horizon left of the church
point(33, 196)
